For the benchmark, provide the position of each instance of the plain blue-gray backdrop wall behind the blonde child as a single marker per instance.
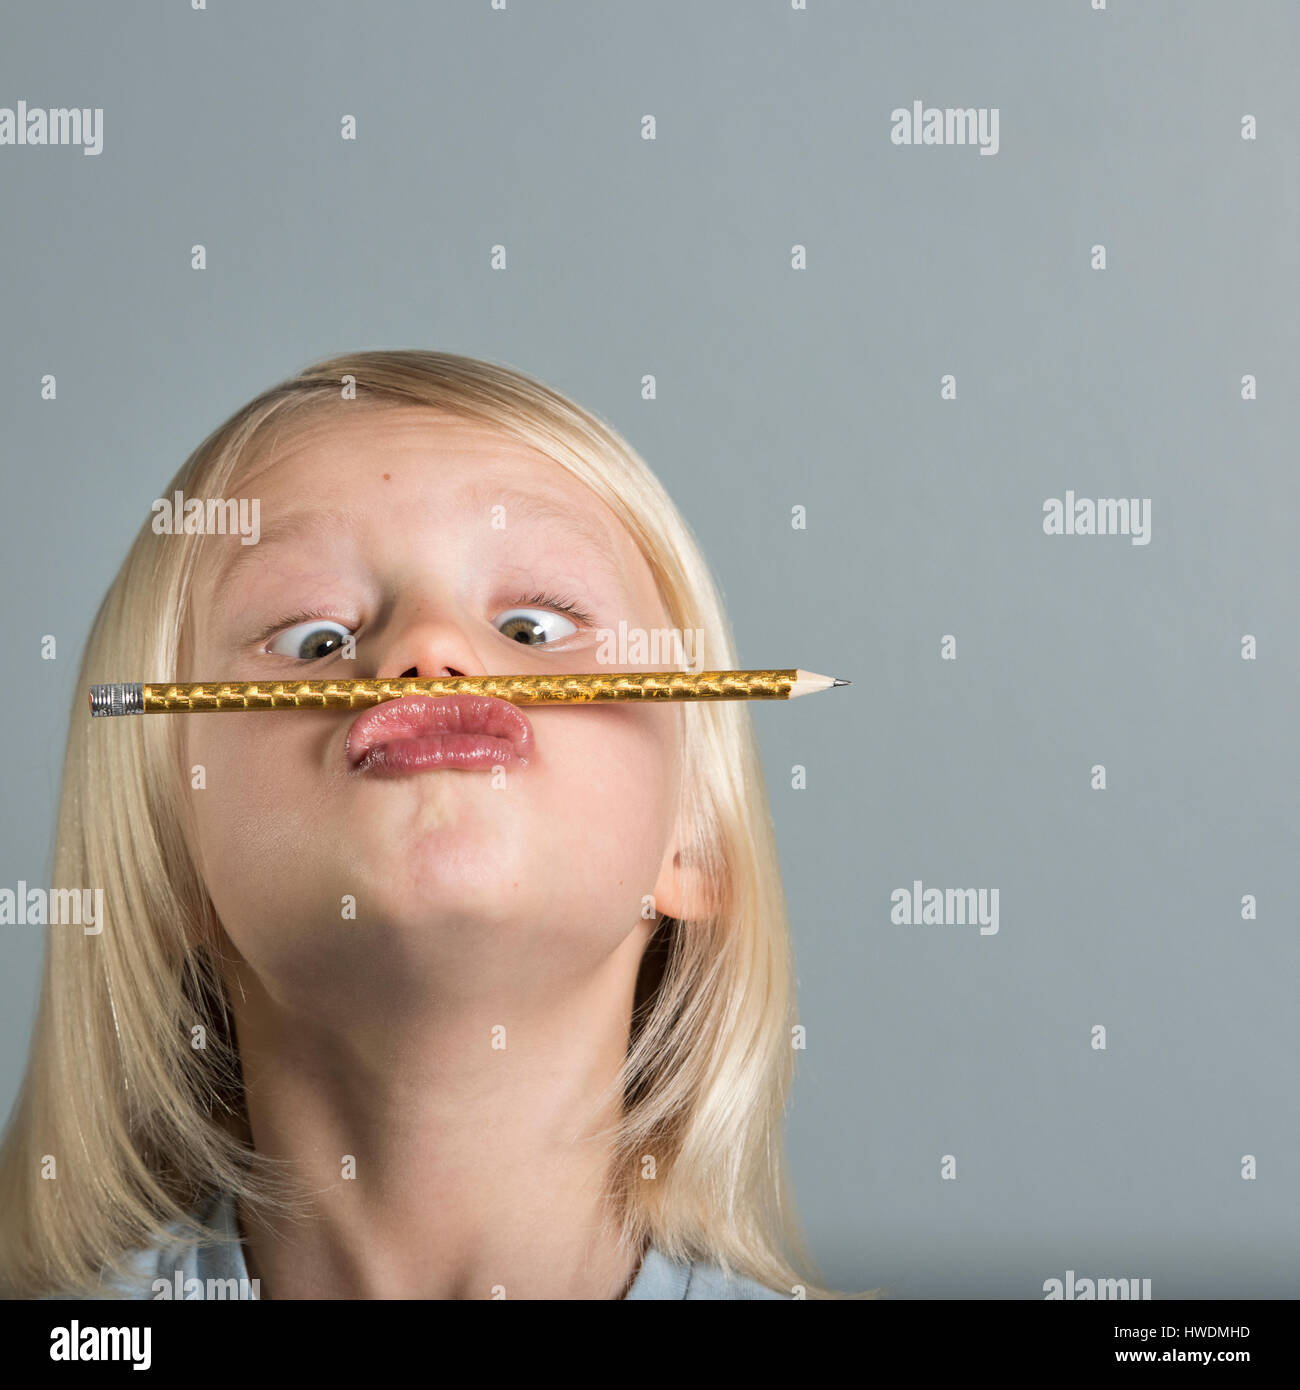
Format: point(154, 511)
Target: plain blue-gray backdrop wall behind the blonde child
point(779, 389)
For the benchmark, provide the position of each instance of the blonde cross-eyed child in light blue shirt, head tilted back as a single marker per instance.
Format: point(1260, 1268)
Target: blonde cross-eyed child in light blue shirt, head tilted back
point(462, 1000)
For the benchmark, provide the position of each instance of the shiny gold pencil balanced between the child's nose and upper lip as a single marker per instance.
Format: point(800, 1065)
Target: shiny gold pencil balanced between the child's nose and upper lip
point(565, 689)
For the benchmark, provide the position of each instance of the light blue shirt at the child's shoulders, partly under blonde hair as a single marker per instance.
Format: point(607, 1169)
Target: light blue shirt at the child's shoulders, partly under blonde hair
point(219, 1271)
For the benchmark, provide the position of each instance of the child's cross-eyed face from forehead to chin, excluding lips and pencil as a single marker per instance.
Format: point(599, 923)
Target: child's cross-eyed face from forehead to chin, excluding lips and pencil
point(461, 888)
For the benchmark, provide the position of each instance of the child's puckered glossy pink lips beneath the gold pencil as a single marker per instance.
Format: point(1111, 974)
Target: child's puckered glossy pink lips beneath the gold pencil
point(419, 732)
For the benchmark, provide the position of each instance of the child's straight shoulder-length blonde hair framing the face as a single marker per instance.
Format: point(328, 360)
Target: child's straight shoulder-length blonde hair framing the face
point(140, 1125)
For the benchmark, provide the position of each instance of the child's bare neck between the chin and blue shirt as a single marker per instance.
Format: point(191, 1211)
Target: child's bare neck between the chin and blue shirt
point(454, 1153)
